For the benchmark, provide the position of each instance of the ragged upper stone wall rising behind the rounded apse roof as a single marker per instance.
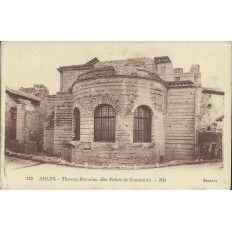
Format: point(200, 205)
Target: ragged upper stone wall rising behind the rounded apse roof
point(160, 65)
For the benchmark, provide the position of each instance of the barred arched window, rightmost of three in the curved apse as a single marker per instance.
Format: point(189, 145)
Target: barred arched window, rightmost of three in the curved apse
point(142, 124)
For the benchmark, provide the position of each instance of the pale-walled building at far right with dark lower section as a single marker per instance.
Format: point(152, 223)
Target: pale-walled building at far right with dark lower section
point(209, 123)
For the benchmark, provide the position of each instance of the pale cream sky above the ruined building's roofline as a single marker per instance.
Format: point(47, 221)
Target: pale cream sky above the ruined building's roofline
point(28, 63)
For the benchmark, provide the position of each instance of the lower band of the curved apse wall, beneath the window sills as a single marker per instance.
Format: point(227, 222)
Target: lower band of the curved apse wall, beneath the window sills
point(111, 154)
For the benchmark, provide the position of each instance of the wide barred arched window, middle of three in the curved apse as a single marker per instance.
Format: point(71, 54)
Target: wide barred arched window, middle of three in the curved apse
point(104, 124)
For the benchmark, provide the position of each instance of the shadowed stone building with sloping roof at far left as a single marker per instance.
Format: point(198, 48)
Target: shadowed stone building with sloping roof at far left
point(25, 114)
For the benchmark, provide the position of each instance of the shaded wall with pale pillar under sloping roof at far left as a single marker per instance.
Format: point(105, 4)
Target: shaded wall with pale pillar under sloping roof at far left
point(26, 126)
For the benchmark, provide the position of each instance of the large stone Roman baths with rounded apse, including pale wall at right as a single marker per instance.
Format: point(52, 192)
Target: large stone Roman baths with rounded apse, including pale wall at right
point(129, 112)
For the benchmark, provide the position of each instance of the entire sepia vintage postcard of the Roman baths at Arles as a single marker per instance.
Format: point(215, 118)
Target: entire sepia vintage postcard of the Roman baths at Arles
point(115, 115)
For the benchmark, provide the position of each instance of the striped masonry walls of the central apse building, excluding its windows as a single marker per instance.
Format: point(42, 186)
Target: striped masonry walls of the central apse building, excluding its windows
point(126, 85)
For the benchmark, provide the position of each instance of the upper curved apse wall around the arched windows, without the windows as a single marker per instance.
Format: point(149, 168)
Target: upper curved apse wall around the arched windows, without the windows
point(124, 94)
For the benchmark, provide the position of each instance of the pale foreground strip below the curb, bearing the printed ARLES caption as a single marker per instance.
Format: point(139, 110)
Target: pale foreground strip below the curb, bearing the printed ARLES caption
point(26, 174)
